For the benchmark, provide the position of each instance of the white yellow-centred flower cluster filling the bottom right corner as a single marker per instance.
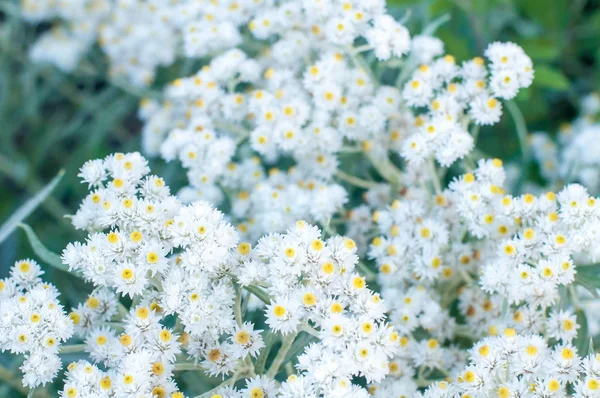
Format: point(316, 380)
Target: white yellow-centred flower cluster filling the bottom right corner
point(513, 364)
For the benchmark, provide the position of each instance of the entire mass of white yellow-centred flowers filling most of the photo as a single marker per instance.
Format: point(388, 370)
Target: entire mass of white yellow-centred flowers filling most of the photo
point(337, 234)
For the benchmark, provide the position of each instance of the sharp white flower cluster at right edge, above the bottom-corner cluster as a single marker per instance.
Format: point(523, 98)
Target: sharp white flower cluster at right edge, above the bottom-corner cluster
point(536, 236)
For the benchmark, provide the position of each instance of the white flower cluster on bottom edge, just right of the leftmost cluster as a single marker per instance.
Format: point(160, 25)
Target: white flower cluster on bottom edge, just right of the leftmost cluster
point(141, 359)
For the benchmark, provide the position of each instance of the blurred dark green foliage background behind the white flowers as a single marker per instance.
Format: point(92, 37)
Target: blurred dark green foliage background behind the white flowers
point(51, 121)
